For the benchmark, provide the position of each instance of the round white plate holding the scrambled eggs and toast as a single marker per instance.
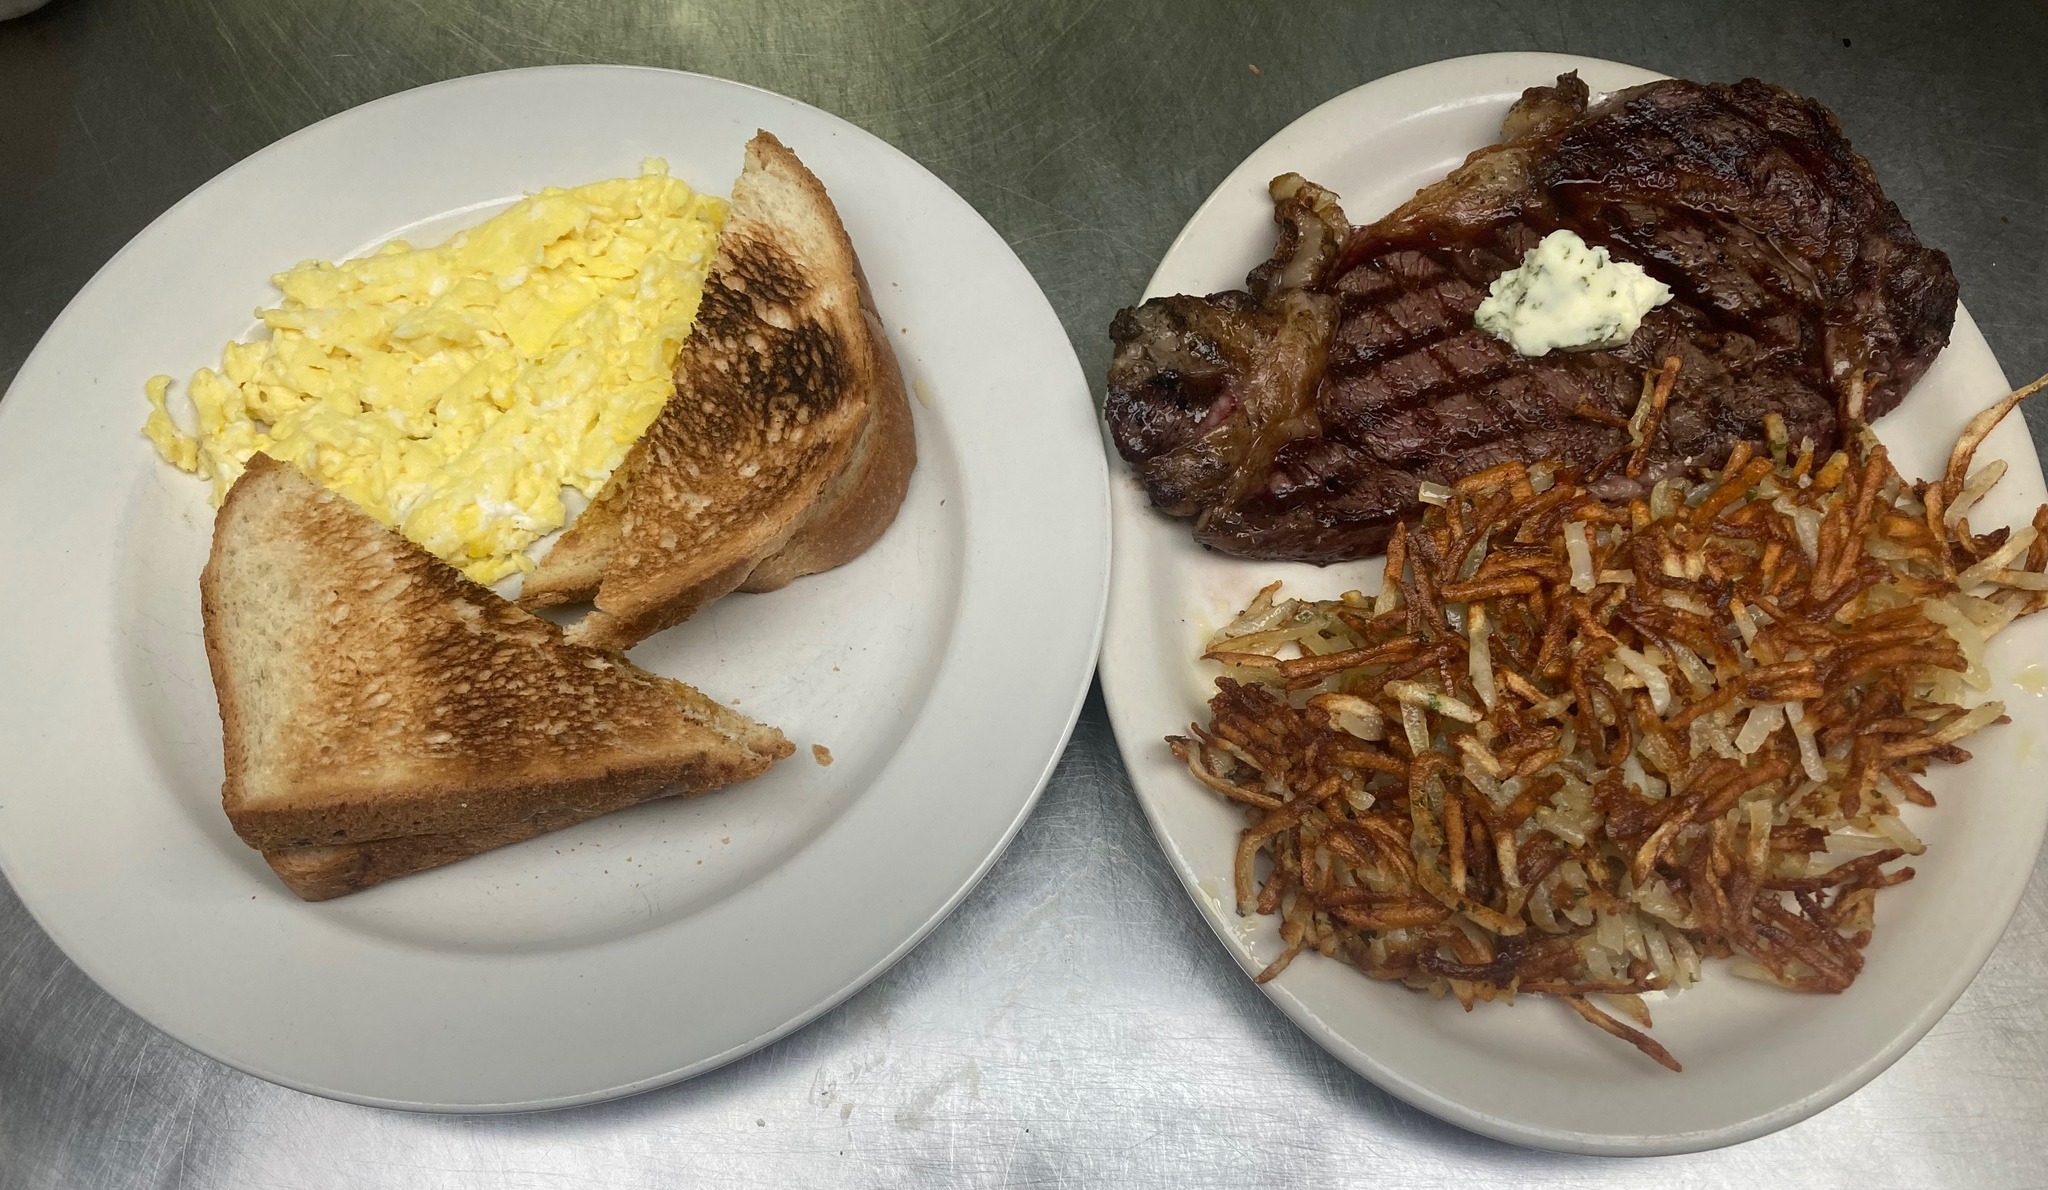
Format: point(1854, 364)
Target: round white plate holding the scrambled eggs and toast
point(943, 669)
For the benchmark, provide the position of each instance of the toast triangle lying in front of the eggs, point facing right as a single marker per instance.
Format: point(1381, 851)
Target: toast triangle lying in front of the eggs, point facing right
point(370, 691)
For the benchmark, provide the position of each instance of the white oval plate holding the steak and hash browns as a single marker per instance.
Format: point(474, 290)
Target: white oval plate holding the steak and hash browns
point(1756, 1058)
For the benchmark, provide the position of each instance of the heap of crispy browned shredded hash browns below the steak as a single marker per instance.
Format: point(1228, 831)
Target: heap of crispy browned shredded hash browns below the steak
point(1578, 747)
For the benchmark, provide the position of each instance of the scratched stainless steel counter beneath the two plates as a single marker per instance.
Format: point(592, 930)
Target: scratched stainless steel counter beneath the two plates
point(1074, 1023)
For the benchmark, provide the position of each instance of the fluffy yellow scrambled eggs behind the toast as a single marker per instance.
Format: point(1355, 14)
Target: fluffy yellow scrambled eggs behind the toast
point(458, 392)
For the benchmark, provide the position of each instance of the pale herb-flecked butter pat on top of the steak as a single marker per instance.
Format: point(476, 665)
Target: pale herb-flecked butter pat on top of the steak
point(1570, 296)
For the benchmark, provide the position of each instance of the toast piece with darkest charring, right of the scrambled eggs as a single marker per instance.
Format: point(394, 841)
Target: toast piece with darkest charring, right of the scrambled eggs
point(787, 445)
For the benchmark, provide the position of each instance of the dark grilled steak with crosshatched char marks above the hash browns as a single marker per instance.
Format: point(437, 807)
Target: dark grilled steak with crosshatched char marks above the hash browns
point(1295, 421)
